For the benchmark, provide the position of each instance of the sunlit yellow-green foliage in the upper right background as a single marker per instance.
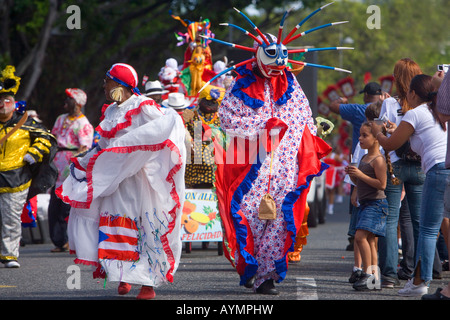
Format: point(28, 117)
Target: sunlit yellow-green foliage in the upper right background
point(409, 28)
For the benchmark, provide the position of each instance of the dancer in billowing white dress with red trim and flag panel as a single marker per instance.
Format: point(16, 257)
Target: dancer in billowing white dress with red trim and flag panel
point(127, 192)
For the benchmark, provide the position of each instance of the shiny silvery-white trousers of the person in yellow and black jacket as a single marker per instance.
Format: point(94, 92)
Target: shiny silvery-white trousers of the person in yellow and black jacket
point(11, 207)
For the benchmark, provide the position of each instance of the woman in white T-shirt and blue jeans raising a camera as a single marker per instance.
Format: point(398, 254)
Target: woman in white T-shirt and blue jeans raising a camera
point(429, 141)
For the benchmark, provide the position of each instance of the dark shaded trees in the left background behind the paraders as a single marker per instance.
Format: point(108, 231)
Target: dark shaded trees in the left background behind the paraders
point(49, 57)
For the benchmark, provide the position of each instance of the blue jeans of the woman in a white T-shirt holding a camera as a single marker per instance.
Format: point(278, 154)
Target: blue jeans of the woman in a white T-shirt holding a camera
point(431, 216)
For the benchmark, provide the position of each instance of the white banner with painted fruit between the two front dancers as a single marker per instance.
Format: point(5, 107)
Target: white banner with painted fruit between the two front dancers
point(200, 220)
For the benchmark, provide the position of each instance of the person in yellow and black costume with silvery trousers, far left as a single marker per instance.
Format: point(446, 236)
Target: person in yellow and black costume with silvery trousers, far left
point(24, 144)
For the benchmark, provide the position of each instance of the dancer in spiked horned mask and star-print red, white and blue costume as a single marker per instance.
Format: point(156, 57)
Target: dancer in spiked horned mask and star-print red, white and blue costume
point(263, 175)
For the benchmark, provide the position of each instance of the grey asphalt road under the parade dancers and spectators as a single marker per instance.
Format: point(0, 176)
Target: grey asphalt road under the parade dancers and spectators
point(203, 275)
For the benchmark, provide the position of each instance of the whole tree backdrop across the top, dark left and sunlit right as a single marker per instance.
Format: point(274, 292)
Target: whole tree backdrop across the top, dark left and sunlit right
point(50, 57)
